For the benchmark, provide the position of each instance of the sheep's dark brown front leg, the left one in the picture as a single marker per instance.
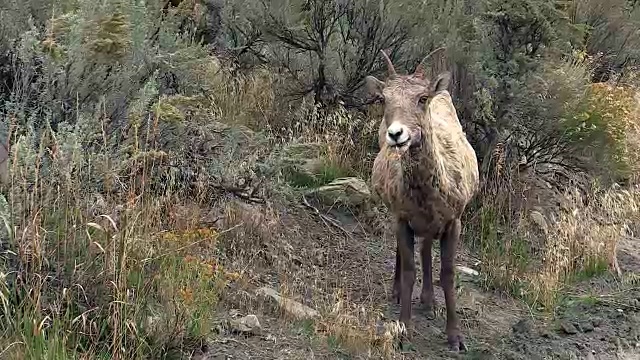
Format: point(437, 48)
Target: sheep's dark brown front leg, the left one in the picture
point(406, 240)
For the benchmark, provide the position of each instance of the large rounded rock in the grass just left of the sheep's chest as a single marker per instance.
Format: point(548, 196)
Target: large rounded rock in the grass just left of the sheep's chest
point(349, 191)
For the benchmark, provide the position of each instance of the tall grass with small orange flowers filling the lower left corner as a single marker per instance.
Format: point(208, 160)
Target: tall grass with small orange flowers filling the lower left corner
point(89, 275)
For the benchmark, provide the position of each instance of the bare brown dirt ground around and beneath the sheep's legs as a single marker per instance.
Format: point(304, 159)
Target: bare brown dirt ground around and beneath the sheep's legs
point(346, 267)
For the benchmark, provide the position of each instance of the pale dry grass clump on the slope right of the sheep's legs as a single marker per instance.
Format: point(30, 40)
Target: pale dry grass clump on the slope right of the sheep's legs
point(535, 255)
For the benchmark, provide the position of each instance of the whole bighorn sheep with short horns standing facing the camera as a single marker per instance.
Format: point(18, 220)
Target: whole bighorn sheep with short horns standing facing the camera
point(426, 173)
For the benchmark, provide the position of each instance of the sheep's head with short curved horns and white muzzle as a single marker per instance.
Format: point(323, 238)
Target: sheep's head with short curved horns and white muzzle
point(405, 99)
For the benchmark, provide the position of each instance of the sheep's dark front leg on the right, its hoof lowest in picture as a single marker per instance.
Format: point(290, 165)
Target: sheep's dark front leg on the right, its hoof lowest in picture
point(448, 244)
